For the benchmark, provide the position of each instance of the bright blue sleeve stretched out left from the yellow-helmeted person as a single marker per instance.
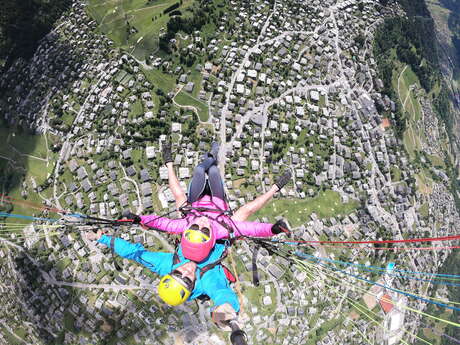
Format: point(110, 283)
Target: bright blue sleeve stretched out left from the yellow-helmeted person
point(160, 263)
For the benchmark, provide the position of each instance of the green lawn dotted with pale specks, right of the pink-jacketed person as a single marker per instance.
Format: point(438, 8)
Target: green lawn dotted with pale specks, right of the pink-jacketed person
point(297, 211)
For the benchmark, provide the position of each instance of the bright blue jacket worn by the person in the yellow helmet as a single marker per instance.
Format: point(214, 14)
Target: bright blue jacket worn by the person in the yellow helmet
point(213, 283)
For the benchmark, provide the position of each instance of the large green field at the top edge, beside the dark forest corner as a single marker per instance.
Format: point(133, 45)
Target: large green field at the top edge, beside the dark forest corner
point(134, 25)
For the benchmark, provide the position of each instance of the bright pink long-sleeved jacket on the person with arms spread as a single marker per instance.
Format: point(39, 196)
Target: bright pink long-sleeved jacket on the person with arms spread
point(216, 206)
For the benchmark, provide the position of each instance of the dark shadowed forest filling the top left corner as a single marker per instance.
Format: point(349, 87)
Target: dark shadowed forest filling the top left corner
point(23, 23)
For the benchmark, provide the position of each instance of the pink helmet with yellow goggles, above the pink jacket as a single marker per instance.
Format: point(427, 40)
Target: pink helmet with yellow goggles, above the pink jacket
point(197, 243)
